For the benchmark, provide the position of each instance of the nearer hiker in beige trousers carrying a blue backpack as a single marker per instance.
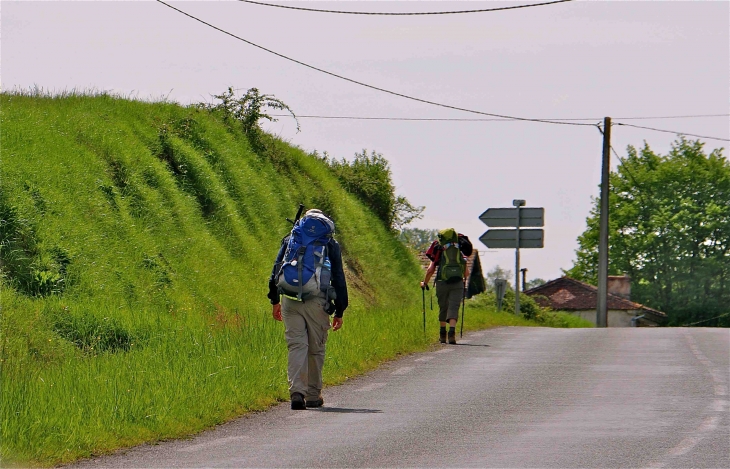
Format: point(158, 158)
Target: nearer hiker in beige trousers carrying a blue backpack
point(306, 286)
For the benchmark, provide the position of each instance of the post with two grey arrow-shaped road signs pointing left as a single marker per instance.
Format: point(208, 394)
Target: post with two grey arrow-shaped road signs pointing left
point(514, 238)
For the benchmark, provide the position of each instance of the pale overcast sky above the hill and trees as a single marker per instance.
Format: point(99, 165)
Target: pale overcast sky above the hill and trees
point(569, 60)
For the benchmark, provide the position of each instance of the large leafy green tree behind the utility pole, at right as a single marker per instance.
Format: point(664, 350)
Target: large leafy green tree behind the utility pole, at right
point(669, 230)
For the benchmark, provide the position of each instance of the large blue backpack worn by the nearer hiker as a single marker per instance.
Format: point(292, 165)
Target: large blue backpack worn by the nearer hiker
point(306, 270)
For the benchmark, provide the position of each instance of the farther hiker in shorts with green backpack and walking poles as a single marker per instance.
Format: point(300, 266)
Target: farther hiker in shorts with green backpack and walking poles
point(448, 260)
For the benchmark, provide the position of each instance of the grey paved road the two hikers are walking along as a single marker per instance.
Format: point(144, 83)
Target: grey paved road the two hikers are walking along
point(508, 397)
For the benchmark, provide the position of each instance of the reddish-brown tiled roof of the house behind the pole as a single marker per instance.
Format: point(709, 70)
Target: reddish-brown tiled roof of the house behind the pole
point(568, 294)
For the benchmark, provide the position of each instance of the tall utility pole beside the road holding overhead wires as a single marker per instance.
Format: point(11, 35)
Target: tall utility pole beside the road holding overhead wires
point(601, 309)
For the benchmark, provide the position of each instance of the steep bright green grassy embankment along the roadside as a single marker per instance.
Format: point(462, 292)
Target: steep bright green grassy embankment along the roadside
point(136, 240)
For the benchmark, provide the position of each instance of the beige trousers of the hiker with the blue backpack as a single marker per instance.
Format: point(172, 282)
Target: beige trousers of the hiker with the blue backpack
point(306, 335)
